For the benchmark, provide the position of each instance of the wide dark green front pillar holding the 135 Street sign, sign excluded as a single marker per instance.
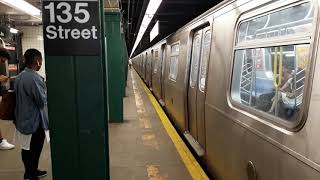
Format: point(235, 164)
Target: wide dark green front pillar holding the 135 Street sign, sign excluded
point(77, 102)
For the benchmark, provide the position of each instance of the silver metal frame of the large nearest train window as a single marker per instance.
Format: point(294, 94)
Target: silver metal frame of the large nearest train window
point(307, 38)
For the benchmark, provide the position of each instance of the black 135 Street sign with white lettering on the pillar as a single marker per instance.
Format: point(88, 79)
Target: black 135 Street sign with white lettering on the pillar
point(71, 27)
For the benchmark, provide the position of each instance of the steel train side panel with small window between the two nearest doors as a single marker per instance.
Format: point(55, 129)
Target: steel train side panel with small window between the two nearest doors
point(174, 87)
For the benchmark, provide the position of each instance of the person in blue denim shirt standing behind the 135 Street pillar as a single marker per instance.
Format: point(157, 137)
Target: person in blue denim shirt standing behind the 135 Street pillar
point(31, 115)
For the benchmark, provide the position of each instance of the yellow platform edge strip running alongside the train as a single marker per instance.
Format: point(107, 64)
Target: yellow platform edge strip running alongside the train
point(188, 159)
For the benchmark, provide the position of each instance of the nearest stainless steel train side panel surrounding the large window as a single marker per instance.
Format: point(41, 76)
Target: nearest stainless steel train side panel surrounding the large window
point(238, 140)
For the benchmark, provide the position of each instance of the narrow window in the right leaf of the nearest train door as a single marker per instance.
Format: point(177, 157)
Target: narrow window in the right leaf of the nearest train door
point(204, 60)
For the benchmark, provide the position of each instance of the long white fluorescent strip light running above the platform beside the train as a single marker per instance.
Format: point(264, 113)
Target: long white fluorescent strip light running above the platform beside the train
point(151, 10)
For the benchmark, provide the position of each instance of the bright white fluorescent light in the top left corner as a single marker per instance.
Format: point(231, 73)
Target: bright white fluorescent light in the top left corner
point(23, 6)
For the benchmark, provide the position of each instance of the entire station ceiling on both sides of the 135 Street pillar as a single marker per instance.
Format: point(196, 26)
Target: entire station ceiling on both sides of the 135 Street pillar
point(172, 14)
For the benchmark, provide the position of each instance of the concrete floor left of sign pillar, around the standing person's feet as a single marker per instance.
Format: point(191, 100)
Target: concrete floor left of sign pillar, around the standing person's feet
point(11, 167)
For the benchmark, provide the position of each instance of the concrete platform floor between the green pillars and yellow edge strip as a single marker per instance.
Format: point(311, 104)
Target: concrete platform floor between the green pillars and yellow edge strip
point(140, 148)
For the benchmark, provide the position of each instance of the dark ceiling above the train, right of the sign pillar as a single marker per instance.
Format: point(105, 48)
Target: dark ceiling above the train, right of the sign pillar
point(172, 14)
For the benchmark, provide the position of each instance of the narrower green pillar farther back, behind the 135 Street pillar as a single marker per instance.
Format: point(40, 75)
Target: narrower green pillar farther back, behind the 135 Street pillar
point(116, 79)
